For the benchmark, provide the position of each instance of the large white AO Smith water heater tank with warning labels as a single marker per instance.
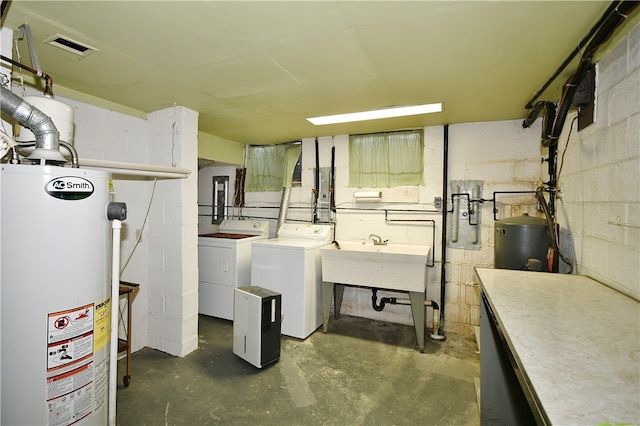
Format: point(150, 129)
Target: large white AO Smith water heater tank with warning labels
point(55, 295)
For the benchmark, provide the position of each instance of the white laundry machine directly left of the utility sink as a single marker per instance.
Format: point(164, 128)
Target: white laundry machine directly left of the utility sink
point(291, 265)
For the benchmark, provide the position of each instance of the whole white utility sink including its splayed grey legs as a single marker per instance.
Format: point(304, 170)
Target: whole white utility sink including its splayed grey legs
point(395, 267)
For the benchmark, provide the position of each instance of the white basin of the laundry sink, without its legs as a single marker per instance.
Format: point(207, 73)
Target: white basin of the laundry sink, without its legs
point(392, 266)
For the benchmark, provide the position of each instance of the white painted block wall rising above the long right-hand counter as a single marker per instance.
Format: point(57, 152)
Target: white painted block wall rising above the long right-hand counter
point(600, 206)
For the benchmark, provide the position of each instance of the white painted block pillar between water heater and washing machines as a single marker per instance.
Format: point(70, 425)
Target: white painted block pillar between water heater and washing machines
point(173, 235)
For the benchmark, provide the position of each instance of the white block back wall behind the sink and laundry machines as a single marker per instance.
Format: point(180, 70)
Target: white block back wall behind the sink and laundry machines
point(502, 154)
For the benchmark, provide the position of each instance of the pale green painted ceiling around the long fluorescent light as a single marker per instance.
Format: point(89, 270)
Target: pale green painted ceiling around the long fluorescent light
point(255, 70)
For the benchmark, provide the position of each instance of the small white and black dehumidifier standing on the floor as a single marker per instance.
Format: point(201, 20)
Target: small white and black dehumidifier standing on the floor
point(256, 325)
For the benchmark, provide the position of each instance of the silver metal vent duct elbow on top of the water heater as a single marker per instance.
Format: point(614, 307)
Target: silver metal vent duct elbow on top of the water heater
point(42, 126)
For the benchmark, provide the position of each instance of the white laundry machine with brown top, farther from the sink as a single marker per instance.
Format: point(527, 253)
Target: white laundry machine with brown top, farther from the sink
point(224, 263)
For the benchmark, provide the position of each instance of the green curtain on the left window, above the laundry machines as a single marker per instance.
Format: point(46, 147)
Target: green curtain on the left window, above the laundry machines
point(270, 167)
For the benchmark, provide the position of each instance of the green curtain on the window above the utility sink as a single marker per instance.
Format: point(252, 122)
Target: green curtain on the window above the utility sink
point(383, 160)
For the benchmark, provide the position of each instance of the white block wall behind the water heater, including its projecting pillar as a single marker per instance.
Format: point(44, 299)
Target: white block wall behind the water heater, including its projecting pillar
point(164, 263)
